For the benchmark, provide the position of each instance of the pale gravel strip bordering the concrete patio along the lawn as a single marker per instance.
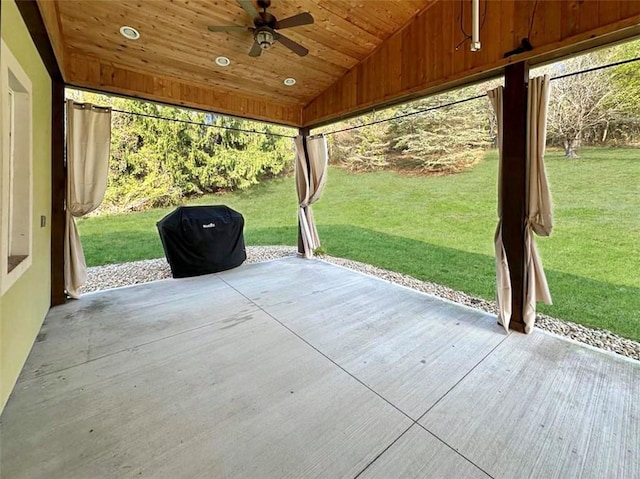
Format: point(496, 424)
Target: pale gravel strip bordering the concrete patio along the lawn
point(116, 275)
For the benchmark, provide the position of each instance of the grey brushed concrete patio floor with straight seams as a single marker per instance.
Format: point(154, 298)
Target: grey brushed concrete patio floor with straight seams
point(298, 368)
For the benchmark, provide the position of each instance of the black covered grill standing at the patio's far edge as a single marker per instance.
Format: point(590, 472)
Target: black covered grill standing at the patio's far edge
point(202, 239)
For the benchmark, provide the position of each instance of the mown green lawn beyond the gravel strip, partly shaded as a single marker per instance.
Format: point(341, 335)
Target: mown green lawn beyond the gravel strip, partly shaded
point(441, 229)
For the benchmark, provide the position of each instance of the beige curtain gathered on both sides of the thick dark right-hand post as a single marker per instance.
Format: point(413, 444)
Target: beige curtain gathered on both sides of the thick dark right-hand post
point(539, 216)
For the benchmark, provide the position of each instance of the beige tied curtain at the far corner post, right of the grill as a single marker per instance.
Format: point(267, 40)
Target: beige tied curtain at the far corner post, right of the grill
point(311, 174)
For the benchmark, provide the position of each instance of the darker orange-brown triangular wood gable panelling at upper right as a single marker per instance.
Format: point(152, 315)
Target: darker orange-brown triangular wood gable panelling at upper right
point(422, 59)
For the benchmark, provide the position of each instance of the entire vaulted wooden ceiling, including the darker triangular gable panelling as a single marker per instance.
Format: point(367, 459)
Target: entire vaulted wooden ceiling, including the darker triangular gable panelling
point(361, 54)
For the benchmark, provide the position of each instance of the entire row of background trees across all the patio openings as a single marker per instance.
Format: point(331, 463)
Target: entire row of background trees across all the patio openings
point(158, 162)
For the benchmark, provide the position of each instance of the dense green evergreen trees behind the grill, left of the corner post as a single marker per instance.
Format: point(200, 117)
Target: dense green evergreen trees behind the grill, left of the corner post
point(160, 162)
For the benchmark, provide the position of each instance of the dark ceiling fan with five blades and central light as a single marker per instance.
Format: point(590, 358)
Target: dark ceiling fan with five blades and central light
point(265, 26)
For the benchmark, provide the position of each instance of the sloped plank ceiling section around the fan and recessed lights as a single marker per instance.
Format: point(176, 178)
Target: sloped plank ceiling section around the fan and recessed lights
point(175, 43)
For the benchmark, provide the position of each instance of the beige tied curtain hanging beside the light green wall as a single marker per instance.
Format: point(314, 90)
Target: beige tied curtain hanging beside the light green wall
point(88, 141)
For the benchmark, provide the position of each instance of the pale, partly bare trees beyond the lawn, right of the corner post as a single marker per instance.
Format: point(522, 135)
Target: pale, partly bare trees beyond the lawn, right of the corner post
point(598, 108)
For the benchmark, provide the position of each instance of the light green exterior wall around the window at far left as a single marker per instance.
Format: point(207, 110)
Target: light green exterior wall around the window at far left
point(24, 306)
